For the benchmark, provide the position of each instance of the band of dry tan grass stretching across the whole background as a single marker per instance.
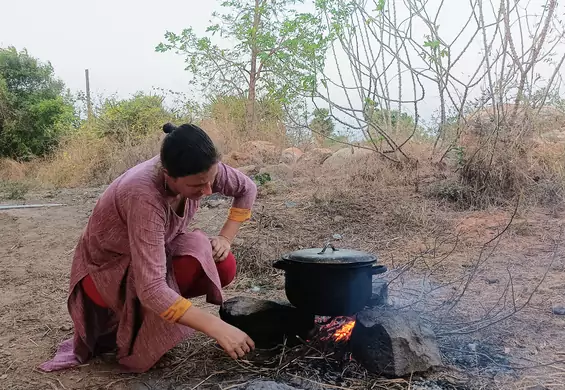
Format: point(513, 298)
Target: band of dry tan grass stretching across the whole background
point(492, 169)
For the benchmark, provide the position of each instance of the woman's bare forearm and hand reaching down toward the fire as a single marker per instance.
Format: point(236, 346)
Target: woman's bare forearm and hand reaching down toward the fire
point(234, 341)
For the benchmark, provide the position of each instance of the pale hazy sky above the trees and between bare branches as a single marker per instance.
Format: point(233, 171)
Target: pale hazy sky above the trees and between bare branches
point(116, 41)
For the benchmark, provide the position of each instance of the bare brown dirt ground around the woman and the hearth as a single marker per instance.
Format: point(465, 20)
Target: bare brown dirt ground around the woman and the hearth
point(423, 243)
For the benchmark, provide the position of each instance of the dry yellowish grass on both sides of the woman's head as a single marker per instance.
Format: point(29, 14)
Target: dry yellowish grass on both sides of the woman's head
point(86, 159)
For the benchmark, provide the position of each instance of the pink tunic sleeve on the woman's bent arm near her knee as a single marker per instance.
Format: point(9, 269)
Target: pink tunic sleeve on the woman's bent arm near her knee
point(231, 182)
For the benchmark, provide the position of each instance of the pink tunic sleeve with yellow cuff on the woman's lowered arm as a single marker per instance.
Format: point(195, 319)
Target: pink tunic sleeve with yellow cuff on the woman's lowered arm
point(146, 230)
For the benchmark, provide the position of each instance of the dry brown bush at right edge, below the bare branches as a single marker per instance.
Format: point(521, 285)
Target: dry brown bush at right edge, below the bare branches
point(499, 164)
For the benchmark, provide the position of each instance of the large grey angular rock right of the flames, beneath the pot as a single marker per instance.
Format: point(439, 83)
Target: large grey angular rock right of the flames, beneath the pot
point(394, 343)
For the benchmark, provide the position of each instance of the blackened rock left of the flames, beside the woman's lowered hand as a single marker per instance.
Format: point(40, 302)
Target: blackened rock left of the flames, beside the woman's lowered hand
point(267, 322)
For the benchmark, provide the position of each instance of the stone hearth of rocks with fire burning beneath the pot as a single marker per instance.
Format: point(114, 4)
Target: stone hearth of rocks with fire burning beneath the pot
point(383, 339)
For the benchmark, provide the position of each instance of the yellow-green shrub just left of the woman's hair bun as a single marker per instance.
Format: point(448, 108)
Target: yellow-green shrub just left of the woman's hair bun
point(132, 119)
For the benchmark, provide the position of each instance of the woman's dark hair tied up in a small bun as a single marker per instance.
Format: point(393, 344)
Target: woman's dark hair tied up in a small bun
point(187, 150)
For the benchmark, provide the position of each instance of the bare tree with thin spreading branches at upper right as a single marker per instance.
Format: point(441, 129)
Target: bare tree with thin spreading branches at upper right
point(396, 56)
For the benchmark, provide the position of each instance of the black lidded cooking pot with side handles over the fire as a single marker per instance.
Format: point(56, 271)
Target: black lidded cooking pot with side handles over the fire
point(336, 282)
